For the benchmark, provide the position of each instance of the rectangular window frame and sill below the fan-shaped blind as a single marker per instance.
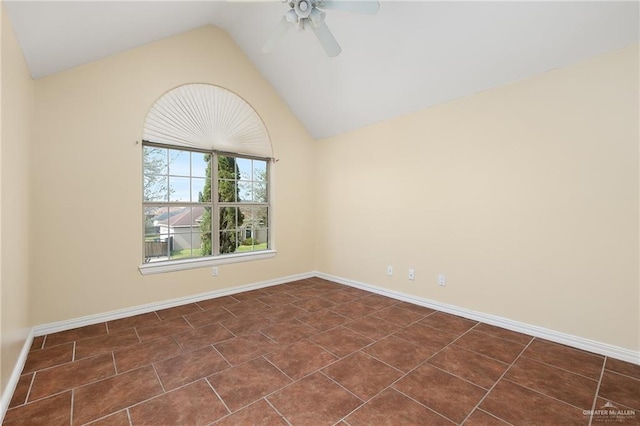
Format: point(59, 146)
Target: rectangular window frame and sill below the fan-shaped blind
point(215, 258)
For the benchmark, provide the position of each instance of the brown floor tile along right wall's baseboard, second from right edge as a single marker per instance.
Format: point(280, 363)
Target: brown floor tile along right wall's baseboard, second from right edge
point(575, 360)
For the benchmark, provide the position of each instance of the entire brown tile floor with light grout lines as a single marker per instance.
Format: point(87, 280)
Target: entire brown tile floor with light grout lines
point(313, 352)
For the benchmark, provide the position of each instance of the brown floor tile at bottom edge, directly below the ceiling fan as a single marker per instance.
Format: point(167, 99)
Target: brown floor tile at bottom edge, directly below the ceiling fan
point(314, 400)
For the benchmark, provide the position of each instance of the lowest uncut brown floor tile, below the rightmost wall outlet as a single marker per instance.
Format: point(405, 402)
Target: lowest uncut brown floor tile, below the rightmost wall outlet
point(448, 395)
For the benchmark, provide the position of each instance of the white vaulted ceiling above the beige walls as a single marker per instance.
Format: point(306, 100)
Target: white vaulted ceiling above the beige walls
point(409, 56)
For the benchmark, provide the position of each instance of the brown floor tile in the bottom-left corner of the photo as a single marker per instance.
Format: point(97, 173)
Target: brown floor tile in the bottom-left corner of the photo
point(53, 411)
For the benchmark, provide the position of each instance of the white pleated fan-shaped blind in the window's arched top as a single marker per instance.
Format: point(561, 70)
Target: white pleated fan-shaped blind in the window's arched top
point(207, 117)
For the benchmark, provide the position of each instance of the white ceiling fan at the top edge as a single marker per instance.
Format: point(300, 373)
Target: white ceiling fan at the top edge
point(307, 14)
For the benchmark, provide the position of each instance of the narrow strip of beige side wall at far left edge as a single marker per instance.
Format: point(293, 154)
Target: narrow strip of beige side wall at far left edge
point(16, 118)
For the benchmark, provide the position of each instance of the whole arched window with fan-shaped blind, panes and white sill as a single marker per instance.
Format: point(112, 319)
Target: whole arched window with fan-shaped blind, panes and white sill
point(206, 186)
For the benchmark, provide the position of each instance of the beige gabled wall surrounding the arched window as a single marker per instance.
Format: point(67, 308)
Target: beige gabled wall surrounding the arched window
point(87, 223)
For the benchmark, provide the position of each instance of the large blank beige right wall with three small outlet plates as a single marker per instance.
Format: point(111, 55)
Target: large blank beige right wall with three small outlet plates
point(525, 196)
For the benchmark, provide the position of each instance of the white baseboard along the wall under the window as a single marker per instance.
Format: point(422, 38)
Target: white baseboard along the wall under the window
point(41, 330)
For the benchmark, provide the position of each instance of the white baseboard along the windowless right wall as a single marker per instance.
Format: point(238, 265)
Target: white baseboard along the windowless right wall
point(532, 330)
